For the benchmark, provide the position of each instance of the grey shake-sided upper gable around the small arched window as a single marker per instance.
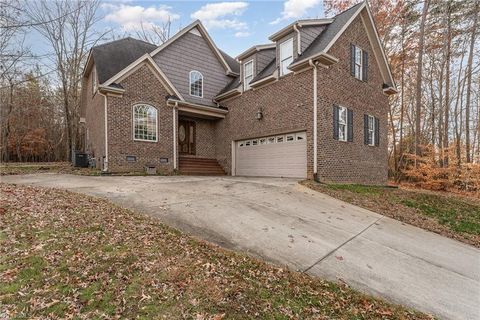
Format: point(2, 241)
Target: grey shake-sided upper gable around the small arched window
point(192, 52)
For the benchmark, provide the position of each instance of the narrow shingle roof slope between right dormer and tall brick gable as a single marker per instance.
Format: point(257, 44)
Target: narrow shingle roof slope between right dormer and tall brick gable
point(326, 36)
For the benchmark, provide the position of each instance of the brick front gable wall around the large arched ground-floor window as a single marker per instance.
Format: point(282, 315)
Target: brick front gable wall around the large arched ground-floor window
point(142, 86)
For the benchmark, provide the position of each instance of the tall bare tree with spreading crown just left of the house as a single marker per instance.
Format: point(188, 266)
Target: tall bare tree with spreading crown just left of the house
point(68, 27)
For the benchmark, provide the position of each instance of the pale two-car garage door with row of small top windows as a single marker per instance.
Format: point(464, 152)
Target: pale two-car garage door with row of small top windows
point(275, 156)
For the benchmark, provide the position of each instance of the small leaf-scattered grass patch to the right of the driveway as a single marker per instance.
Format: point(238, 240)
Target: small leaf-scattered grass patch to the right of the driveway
point(453, 216)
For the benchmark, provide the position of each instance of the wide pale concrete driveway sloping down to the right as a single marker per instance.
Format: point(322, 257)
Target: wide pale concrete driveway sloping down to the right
point(283, 222)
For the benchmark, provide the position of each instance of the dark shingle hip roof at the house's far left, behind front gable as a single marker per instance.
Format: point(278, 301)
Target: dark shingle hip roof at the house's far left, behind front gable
point(112, 57)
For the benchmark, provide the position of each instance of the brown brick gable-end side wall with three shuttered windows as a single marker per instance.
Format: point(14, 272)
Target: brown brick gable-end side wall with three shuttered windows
point(351, 162)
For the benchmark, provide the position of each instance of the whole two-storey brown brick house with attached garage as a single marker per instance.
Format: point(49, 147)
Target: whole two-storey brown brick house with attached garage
point(312, 103)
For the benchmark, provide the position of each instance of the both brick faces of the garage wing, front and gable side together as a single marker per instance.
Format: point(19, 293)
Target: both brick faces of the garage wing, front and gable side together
point(287, 105)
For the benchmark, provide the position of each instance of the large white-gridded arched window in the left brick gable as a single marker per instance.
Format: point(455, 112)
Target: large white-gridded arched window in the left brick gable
point(144, 122)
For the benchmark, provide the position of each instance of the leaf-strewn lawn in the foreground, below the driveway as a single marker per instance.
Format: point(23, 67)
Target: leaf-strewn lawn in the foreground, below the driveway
point(65, 255)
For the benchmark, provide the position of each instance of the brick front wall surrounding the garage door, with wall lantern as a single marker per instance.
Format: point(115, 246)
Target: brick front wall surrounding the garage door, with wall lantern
point(286, 106)
